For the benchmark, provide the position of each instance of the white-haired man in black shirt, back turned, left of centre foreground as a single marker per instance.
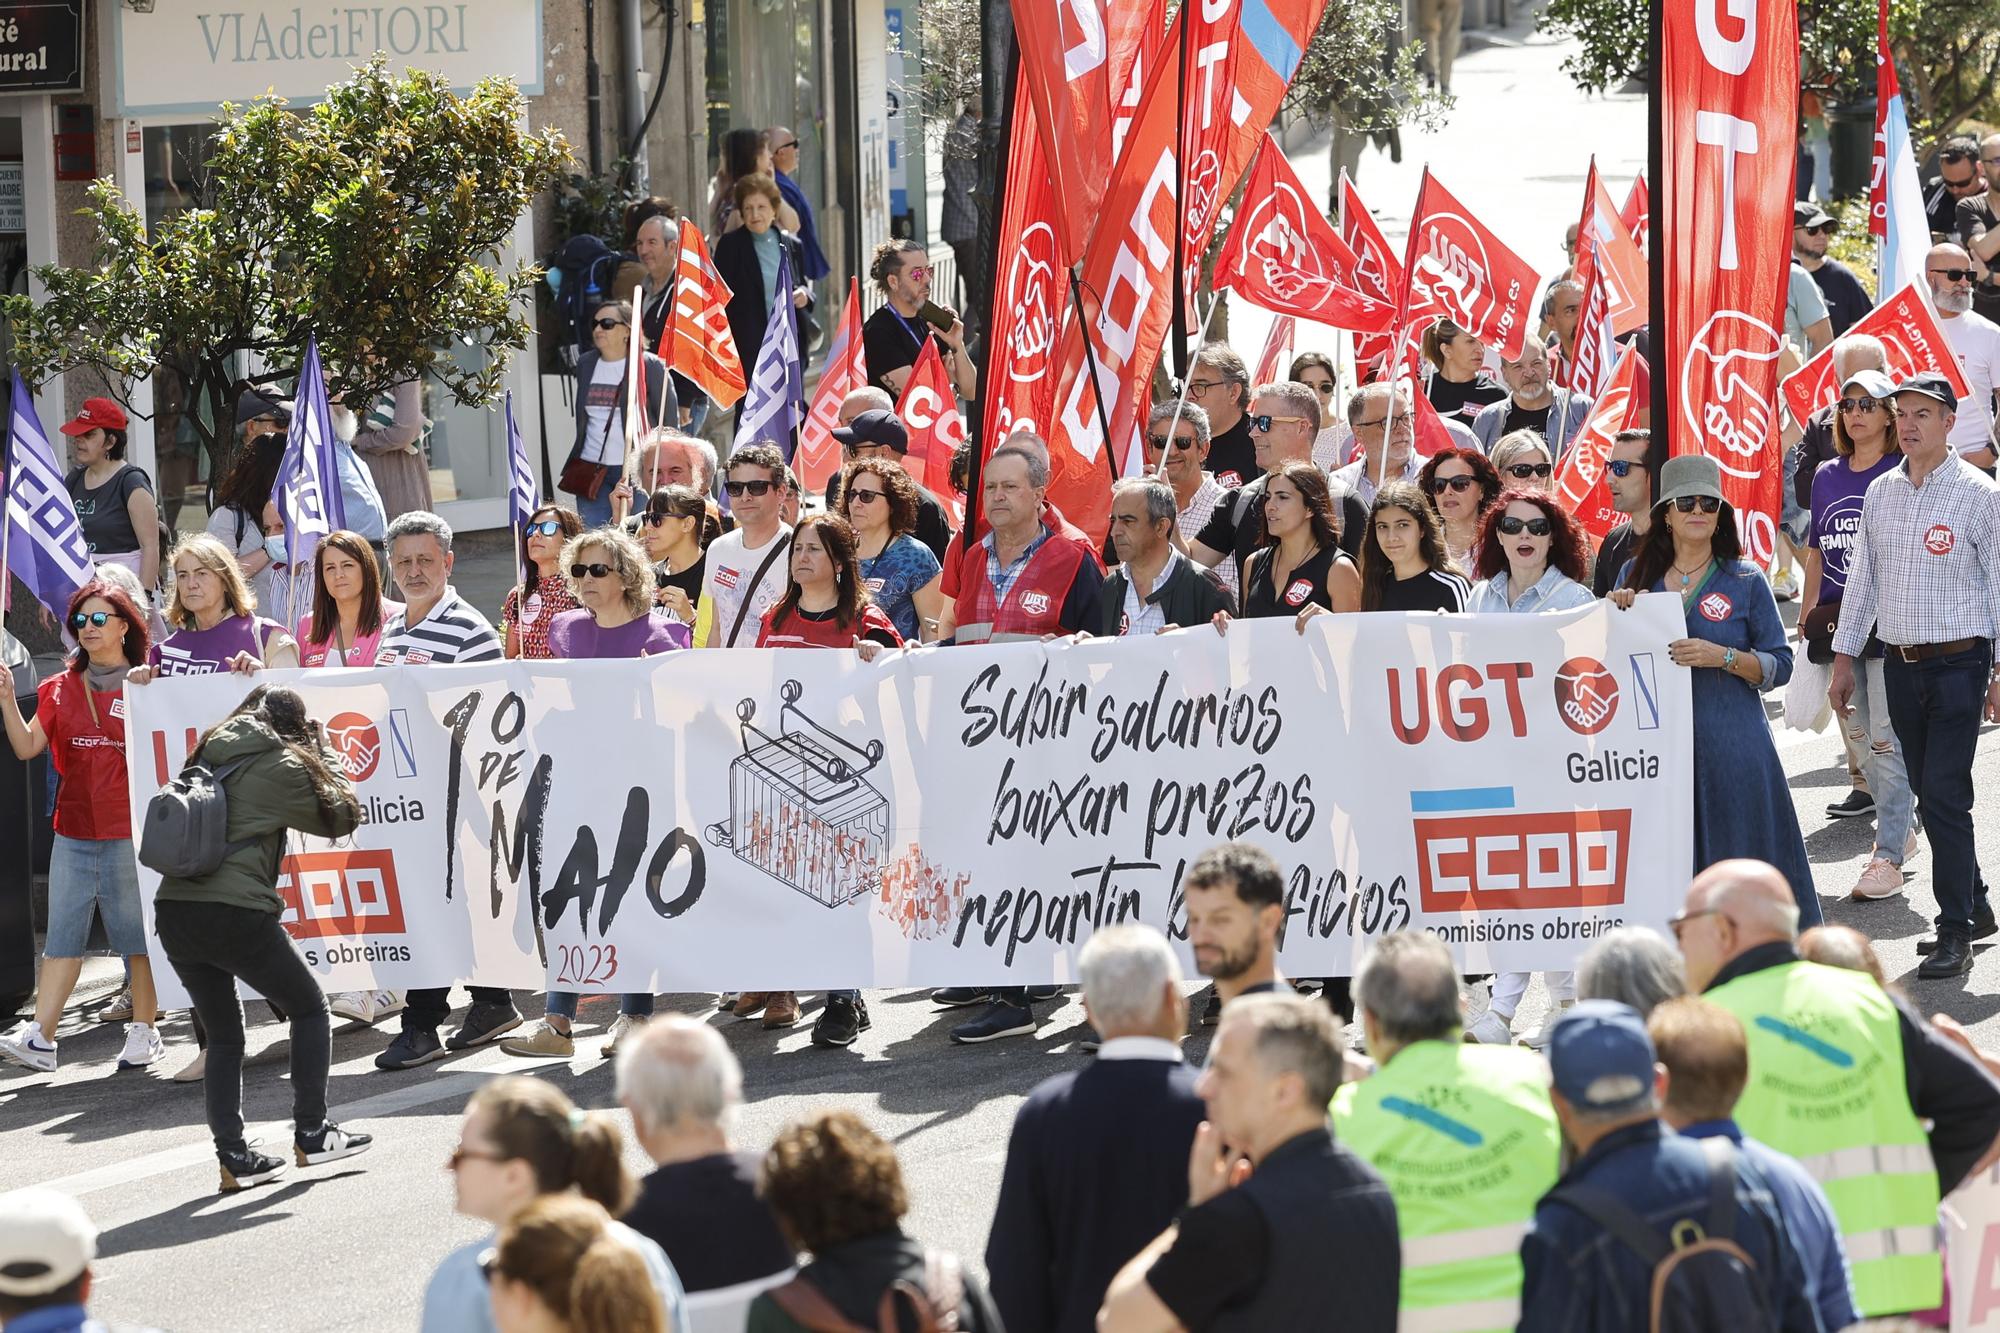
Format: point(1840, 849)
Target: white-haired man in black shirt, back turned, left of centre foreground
point(683, 1086)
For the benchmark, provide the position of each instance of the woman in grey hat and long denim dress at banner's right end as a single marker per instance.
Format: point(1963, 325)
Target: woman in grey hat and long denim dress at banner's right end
point(1735, 649)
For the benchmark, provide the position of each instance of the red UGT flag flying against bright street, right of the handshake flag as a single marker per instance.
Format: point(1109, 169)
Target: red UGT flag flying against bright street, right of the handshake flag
point(1459, 269)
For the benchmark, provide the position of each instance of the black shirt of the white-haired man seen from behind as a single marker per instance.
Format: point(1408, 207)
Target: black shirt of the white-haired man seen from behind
point(709, 1220)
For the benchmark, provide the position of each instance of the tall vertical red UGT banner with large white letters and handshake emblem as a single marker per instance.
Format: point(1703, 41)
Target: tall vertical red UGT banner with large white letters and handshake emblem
point(1729, 105)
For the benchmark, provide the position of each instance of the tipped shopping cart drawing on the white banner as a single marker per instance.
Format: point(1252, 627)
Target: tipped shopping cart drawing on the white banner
point(801, 808)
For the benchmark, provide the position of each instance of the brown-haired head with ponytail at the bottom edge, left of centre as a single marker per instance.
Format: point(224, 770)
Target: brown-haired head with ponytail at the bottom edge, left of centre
point(561, 1270)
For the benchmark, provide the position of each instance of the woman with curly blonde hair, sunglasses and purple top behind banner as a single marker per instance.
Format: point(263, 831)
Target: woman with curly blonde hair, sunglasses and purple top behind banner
point(613, 583)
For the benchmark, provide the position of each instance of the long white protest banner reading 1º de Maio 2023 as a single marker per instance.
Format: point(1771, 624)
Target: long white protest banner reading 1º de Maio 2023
point(753, 820)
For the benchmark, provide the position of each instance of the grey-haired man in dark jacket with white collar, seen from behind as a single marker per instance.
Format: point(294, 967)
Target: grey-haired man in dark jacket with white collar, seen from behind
point(1099, 1158)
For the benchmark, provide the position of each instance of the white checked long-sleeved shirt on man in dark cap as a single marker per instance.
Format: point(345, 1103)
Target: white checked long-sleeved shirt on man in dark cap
point(1927, 561)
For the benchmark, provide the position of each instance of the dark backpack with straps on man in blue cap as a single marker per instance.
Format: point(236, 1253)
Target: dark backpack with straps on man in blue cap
point(1701, 1278)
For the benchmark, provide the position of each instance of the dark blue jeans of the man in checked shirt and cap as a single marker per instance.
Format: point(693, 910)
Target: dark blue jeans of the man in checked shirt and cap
point(1937, 712)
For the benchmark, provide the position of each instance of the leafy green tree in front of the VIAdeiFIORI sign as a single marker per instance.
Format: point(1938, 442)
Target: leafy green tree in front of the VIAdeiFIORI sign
point(373, 221)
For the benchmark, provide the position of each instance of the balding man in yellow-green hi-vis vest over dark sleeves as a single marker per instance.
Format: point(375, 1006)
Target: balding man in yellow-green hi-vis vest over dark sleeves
point(1843, 1076)
